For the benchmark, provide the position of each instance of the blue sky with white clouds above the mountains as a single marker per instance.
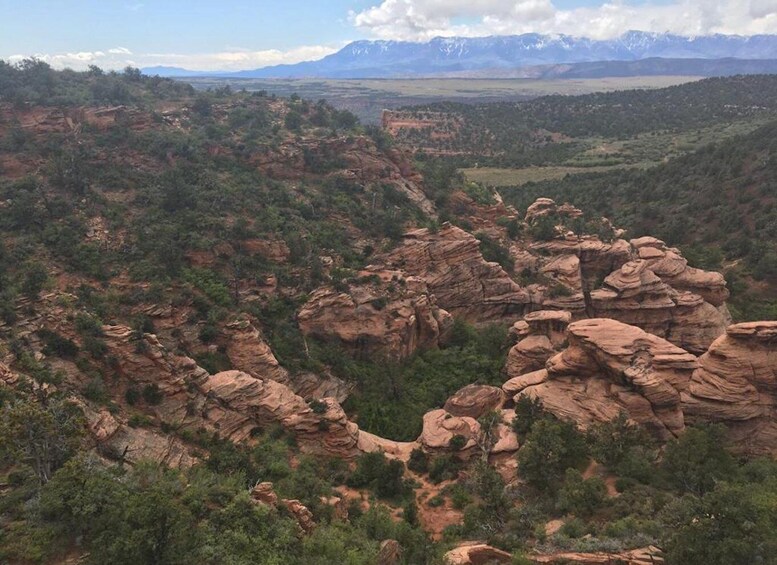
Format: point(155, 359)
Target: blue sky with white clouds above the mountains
point(220, 35)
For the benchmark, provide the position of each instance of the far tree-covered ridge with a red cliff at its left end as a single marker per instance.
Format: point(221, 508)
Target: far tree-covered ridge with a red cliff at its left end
point(554, 129)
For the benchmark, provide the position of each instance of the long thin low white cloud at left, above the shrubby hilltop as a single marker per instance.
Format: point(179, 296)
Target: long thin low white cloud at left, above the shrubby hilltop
point(231, 60)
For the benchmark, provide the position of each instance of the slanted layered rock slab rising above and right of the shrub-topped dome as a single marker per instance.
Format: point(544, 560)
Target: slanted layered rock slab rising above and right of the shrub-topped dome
point(465, 284)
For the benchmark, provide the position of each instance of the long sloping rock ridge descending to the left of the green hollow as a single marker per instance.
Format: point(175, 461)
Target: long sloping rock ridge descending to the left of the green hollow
point(235, 404)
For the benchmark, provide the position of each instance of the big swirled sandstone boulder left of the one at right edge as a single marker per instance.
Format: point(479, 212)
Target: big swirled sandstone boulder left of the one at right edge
point(611, 367)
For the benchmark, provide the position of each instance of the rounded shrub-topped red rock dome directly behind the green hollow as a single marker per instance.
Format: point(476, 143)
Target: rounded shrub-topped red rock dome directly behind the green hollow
point(389, 314)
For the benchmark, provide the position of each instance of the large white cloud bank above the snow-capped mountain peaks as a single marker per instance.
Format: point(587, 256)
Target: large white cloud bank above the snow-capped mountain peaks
point(418, 20)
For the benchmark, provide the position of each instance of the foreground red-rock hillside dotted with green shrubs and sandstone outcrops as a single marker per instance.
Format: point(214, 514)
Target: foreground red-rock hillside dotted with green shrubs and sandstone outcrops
point(237, 328)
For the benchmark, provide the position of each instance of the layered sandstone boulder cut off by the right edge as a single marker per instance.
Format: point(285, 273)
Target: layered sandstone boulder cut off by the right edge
point(736, 383)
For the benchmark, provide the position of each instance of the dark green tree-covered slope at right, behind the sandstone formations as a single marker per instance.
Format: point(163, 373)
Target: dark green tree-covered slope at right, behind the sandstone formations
point(718, 203)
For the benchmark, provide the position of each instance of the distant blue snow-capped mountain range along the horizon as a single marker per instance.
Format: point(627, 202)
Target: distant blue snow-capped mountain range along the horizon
point(493, 56)
